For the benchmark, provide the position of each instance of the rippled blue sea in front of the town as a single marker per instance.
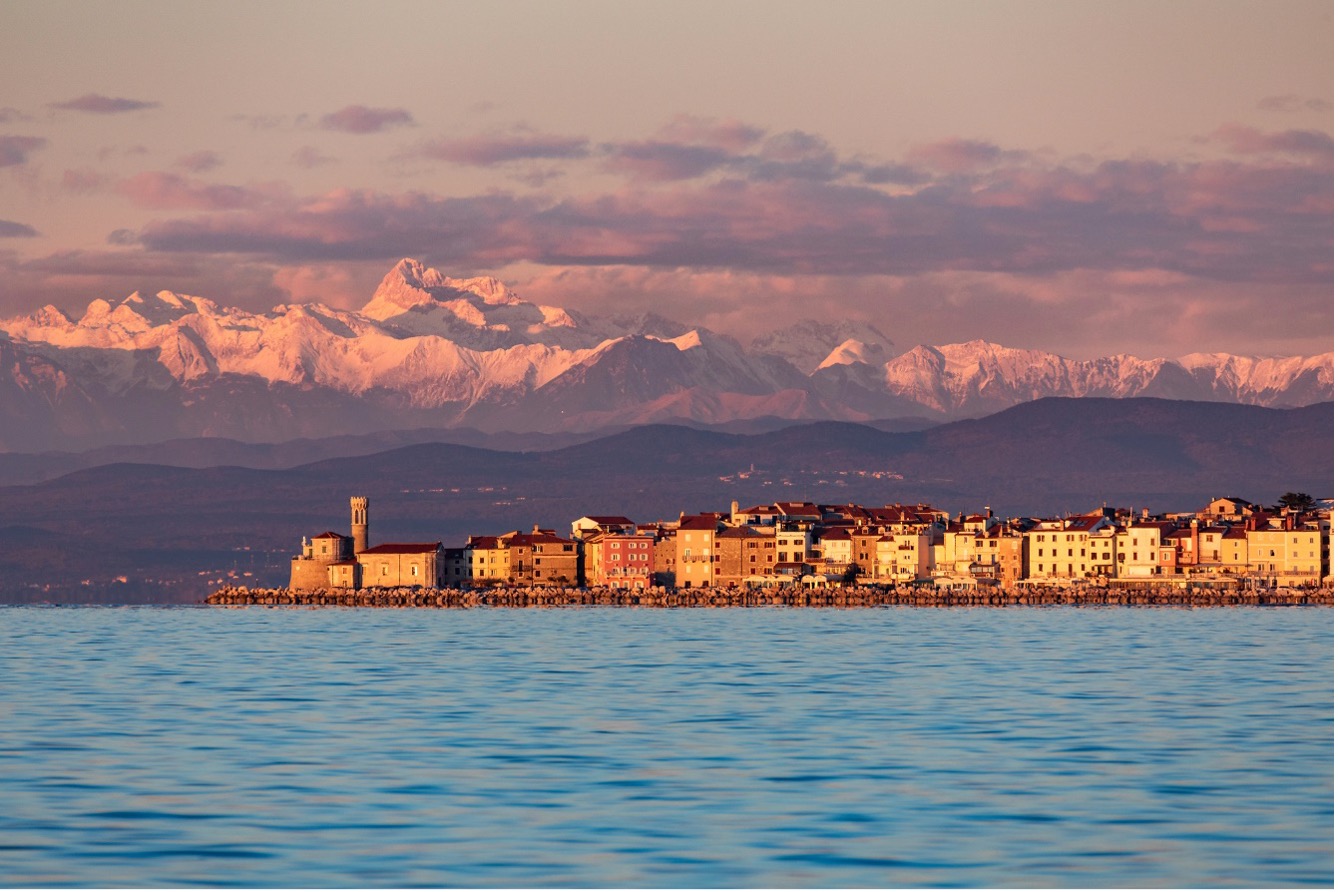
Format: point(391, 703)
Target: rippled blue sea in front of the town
point(686, 748)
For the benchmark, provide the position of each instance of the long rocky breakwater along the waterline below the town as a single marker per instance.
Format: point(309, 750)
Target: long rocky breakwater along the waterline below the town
point(786, 597)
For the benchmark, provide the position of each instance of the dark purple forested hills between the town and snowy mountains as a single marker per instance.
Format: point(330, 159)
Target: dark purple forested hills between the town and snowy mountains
point(173, 532)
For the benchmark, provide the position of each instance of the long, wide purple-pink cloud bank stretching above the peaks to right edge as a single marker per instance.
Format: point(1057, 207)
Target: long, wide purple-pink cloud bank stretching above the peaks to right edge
point(1217, 221)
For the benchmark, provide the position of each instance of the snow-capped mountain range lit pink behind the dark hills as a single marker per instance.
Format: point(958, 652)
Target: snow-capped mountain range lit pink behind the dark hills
point(430, 351)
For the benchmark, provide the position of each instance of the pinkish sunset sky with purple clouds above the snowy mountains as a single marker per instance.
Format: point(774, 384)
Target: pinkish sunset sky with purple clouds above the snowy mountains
point(1084, 177)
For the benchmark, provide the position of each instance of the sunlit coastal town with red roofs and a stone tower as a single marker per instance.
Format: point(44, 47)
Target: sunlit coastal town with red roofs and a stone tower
point(1229, 545)
